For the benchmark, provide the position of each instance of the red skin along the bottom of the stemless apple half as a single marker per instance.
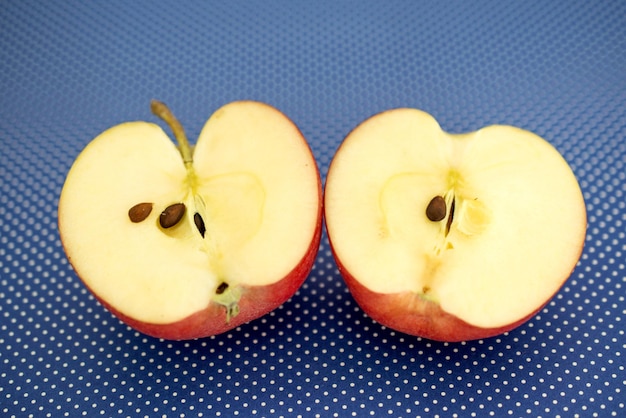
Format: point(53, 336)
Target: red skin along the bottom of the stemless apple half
point(411, 314)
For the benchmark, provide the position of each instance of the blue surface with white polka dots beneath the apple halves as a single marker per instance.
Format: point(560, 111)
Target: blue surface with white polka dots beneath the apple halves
point(71, 70)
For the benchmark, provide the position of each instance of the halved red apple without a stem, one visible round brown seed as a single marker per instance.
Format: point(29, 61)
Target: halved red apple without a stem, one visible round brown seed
point(451, 237)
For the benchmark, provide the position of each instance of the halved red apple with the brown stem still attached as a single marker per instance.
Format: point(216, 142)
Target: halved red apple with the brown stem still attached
point(183, 243)
